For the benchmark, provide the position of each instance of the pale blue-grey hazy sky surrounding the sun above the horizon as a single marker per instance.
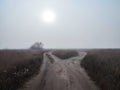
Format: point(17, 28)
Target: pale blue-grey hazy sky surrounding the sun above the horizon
point(78, 23)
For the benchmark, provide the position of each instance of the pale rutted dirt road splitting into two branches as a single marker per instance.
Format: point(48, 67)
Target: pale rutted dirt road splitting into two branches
point(56, 74)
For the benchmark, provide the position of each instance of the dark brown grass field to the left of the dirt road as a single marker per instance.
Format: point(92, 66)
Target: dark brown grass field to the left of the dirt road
point(17, 66)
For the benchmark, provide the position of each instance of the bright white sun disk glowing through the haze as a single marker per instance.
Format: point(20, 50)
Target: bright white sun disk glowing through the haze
point(48, 16)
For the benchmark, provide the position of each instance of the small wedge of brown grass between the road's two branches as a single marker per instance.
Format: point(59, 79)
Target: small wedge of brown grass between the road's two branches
point(64, 54)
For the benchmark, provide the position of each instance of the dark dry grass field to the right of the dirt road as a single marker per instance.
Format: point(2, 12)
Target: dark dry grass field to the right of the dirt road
point(103, 66)
